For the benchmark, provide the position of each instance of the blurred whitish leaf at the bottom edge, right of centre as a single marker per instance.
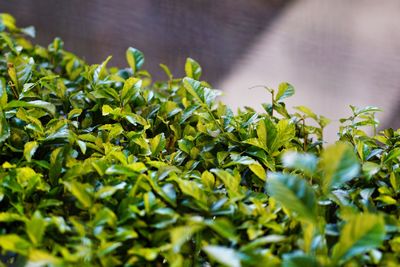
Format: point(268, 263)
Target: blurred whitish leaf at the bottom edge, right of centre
point(223, 255)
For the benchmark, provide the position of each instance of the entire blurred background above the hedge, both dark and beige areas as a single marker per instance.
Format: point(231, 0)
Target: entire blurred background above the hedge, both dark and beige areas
point(335, 52)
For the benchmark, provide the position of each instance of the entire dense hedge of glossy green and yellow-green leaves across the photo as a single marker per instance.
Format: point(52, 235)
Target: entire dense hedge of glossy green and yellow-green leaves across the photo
point(103, 167)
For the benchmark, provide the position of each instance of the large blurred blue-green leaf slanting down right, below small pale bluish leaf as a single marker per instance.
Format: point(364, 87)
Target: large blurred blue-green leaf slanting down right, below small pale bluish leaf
point(294, 194)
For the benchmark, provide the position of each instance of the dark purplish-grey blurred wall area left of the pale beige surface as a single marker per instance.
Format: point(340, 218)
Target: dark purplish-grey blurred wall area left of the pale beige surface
point(216, 33)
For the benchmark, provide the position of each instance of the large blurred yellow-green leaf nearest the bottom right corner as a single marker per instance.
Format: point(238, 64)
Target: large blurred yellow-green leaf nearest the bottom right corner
point(363, 232)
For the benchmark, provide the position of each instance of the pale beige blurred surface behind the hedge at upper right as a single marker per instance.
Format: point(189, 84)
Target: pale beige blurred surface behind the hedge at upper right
point(335, 53)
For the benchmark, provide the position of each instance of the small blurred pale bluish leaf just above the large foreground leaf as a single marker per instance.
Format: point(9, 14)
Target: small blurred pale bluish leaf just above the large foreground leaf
point(301, 161)
